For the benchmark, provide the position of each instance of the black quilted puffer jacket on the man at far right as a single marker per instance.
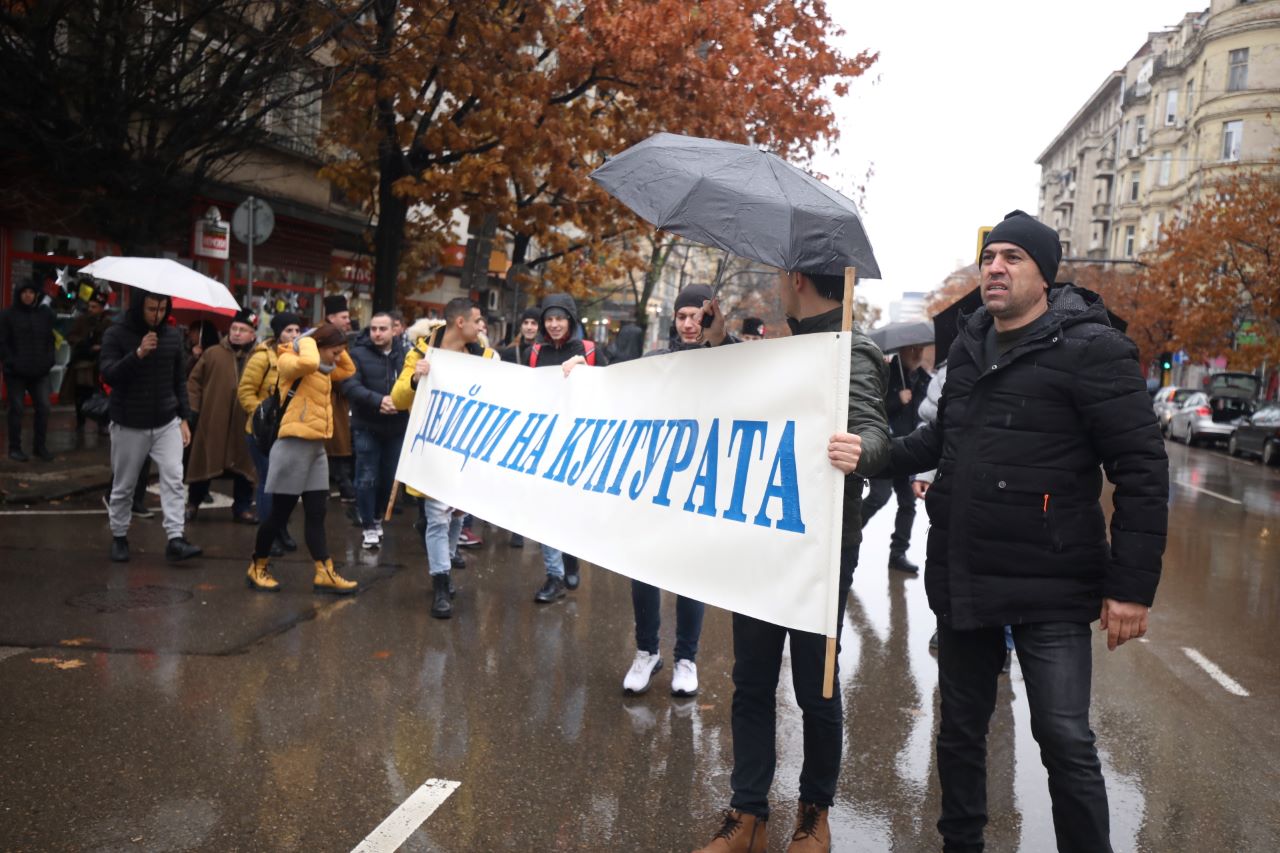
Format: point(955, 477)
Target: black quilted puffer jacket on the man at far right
point(1021, 444)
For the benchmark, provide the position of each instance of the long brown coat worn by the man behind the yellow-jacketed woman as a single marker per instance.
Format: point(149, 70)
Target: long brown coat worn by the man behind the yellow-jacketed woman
point(220, 443)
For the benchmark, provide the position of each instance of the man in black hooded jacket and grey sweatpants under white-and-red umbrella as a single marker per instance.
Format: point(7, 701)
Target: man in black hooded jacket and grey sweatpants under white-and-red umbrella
point(143, 363)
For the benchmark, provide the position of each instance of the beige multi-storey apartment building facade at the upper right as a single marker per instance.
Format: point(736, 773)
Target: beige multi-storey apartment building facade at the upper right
point(1196, 101)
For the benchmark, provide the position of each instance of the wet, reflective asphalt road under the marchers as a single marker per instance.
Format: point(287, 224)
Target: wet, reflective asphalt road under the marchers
point(147, 708)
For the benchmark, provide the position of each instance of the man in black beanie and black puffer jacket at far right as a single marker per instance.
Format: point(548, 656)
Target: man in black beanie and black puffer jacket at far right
point(1043, 396)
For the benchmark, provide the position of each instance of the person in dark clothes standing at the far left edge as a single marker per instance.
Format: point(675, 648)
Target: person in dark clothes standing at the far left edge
point(28, 354)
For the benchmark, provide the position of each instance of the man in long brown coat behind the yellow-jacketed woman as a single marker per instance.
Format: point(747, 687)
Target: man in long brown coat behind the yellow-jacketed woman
point(218, 422)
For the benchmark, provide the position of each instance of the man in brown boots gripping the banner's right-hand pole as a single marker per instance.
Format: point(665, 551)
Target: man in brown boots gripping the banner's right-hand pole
point(812, 304)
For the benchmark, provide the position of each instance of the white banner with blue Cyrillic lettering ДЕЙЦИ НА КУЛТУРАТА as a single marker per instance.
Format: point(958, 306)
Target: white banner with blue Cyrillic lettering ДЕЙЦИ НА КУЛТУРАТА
point(703, 473)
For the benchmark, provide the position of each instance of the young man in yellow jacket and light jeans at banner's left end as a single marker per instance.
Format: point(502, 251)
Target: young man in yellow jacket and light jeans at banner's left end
point(441, 524)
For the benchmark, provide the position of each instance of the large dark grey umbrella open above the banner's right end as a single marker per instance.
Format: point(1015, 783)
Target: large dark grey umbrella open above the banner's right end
point(743, 200)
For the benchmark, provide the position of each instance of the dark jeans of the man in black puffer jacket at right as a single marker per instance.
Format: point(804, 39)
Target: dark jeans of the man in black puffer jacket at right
point(1057, 660)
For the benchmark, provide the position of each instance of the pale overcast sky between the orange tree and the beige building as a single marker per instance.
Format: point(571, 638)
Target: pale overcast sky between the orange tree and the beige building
point(953, 116)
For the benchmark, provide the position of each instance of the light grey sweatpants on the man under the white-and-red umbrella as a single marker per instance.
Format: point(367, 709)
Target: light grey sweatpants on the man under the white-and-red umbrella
point(130, 449)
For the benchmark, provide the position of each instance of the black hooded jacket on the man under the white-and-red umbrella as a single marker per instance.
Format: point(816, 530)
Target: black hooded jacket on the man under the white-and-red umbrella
point(147, 394)
